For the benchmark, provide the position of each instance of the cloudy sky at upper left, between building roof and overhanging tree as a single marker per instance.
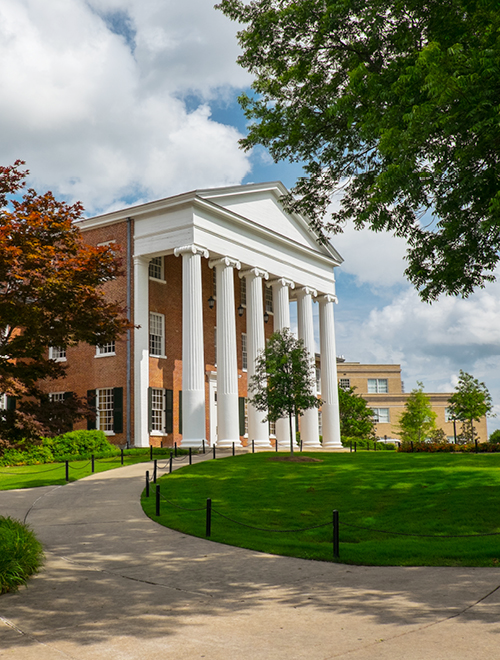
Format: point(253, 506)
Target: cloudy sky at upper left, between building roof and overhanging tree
point(92, 97)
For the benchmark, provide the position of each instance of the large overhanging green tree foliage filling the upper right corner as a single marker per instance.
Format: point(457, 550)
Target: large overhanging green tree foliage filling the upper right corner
point(394, 103)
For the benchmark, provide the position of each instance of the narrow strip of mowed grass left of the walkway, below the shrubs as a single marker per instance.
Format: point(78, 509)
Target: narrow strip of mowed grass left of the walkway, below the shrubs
point(48, 474)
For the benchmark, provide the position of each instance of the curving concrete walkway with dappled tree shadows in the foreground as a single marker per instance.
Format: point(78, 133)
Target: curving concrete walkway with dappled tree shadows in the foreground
point(118, 586)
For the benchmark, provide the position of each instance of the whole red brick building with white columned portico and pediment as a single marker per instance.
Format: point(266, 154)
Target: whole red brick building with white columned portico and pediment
point(208, 276)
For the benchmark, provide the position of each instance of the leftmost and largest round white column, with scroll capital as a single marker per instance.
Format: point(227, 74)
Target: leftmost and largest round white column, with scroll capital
point(193, 357)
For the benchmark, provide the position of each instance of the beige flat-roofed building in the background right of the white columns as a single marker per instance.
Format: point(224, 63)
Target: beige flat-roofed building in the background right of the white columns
point(383, 389)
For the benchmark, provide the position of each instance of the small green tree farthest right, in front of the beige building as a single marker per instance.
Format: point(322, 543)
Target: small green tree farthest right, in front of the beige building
point(470, 401)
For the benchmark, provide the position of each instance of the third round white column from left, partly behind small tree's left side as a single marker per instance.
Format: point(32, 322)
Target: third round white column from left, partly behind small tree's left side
point(258, 429)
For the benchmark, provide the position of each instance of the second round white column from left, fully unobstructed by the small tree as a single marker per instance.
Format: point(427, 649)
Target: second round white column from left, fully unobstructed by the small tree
point(227, 366)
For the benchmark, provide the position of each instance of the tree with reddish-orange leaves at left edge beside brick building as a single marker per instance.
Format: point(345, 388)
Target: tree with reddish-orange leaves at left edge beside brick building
point(51, 294)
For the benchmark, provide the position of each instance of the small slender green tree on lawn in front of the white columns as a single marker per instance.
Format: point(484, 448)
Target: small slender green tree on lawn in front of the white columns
point(283, 383)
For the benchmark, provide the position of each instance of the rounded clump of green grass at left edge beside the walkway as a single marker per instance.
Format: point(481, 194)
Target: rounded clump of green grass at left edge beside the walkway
point(21, 554)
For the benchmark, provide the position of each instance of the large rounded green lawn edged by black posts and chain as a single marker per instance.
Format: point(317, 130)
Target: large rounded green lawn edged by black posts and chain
point(419, 495)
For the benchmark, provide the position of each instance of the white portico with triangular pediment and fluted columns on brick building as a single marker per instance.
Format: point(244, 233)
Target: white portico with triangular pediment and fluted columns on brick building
point(241, 233)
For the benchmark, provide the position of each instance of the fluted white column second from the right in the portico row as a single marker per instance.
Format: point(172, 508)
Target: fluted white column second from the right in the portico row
point(309, 430)
